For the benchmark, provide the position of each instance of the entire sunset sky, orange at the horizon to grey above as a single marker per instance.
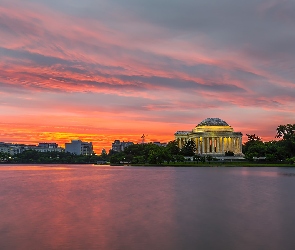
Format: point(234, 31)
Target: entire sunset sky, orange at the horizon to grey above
point(100, 70)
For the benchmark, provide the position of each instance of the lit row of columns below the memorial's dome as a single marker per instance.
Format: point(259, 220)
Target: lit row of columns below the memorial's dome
point(214, 145)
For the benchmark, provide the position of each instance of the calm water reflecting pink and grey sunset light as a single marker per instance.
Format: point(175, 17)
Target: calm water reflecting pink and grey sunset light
point(101, 207)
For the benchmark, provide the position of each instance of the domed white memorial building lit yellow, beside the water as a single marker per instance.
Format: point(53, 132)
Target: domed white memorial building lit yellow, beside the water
point(212, 136)
